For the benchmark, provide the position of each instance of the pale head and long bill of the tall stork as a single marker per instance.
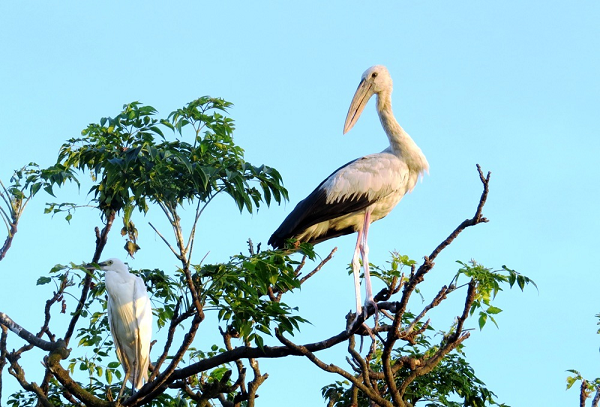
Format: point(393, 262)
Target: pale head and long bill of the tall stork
point(375, 80)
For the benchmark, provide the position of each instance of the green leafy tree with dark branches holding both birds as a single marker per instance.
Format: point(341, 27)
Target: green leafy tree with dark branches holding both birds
point(137, 163)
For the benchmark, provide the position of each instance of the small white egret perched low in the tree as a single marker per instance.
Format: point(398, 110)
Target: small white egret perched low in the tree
point(130, 320)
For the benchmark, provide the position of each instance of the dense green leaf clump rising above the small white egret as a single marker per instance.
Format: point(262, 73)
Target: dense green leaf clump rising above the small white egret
point(133, 164)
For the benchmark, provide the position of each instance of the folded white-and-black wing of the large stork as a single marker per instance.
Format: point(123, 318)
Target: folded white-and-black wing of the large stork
point(350, 189)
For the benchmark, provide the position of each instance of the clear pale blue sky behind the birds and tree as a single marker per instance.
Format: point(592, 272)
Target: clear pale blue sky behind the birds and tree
point(513, 86)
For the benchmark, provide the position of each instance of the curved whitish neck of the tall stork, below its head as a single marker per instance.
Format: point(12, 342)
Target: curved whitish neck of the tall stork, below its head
point(401, 143)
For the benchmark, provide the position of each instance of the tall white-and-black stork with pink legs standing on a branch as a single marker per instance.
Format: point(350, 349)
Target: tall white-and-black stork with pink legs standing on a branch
point(362, 191)
